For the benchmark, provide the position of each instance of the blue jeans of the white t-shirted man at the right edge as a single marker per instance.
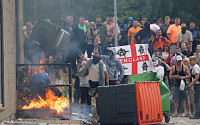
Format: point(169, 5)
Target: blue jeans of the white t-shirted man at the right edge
point(197, 99)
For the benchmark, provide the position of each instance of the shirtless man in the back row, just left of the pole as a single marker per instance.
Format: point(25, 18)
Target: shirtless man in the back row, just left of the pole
point(110, 26)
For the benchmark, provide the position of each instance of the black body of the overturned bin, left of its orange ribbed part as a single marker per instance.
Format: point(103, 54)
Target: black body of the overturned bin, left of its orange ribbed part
point(116, 104)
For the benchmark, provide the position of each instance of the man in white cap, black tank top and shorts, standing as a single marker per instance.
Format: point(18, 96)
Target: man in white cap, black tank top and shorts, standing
point(180, 72)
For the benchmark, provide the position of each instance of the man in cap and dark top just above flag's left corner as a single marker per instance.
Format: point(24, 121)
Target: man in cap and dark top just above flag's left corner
point(109, 42)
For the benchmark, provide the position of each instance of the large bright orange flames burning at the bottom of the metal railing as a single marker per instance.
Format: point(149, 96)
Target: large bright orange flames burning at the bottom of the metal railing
point(53, 102)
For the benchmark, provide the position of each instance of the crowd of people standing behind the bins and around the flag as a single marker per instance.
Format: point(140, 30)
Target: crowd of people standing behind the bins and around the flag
point(174, 48)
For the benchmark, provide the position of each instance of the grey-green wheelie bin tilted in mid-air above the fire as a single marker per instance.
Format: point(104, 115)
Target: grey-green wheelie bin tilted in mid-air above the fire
point(50, 35)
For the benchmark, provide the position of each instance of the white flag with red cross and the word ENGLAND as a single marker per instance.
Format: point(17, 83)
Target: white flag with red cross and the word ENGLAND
point(135, 58)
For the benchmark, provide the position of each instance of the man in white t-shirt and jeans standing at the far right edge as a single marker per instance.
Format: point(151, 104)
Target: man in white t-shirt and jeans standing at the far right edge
point(195, 81)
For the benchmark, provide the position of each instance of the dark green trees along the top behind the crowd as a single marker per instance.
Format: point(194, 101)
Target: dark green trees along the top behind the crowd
point(187, 10)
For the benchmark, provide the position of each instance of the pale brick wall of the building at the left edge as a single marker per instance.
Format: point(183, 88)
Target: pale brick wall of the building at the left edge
point(9, 49)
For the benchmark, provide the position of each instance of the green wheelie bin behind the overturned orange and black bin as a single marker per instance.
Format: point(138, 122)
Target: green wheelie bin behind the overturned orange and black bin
point(164, 90)
